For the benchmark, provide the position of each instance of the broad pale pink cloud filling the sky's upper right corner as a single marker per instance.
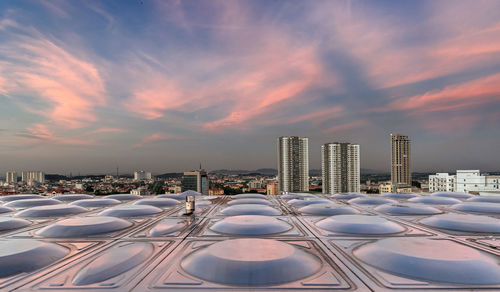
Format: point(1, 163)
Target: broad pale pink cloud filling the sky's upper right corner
point(465, 41)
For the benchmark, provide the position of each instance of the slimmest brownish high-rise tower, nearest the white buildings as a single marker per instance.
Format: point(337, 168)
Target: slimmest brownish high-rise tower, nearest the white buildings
point(400, 160)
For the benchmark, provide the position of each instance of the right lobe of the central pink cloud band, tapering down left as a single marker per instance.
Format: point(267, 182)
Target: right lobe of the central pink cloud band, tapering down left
point(270, 82)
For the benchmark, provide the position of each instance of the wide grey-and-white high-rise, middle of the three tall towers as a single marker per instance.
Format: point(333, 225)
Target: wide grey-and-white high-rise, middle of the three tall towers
point(340, 167)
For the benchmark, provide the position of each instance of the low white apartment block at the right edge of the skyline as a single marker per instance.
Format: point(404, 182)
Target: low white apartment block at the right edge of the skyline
point(464, 181)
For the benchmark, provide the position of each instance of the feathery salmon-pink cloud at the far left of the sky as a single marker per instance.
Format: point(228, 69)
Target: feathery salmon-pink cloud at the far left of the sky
point(71, 86)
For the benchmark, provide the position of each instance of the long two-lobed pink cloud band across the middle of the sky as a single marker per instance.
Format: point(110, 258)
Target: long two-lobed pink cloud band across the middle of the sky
point(261, 81)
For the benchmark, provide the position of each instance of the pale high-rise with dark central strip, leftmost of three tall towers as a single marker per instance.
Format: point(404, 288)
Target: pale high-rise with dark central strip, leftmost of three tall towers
point(293, 164)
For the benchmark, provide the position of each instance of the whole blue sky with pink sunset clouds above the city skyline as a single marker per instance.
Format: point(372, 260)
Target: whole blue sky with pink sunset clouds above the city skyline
point(88, 86)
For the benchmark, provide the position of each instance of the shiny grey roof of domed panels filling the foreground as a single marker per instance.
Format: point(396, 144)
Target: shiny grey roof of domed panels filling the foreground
point(297, 242)
